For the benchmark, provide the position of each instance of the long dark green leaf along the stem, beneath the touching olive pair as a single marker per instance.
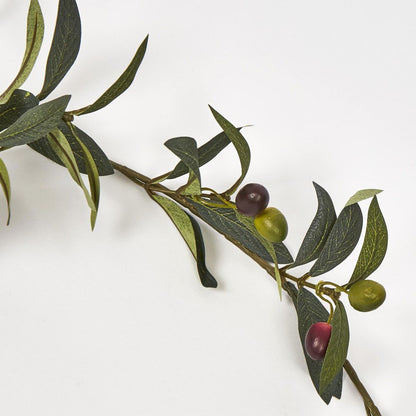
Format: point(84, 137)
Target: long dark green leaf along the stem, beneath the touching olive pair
point(225, 221)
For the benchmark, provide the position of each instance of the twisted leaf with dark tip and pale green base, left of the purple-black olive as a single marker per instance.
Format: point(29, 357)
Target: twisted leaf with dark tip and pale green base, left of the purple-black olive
point(185, 148)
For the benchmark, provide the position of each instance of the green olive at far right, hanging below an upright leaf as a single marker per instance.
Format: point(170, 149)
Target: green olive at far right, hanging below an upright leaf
point(366, 295)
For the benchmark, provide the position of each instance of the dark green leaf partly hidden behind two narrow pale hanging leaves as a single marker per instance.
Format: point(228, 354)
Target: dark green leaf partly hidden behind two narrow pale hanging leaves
point(104, 166)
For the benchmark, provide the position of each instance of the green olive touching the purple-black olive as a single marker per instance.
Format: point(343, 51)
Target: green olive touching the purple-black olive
point(271, 224)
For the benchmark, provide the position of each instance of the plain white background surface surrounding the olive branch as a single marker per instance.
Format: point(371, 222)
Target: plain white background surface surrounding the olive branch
point(115, 322)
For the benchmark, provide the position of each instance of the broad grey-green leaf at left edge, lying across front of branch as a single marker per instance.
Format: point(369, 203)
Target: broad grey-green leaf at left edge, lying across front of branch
point(35, 123)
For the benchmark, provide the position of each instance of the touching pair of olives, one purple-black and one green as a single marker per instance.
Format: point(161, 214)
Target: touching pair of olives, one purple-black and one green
point(252, 200)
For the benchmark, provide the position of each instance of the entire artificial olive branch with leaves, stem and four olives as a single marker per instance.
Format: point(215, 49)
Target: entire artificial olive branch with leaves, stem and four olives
point(239, 213)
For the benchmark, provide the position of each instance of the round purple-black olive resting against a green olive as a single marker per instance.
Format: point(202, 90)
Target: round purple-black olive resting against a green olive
point(252, 199)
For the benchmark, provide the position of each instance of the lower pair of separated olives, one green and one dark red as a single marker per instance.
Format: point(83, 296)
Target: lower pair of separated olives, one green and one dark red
point(364, 296)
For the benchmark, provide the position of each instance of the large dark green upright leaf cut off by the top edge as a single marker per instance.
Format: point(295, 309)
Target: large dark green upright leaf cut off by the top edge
point(65, 46)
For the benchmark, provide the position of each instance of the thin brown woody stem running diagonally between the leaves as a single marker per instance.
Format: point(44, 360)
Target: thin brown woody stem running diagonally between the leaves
point(146, 183)
